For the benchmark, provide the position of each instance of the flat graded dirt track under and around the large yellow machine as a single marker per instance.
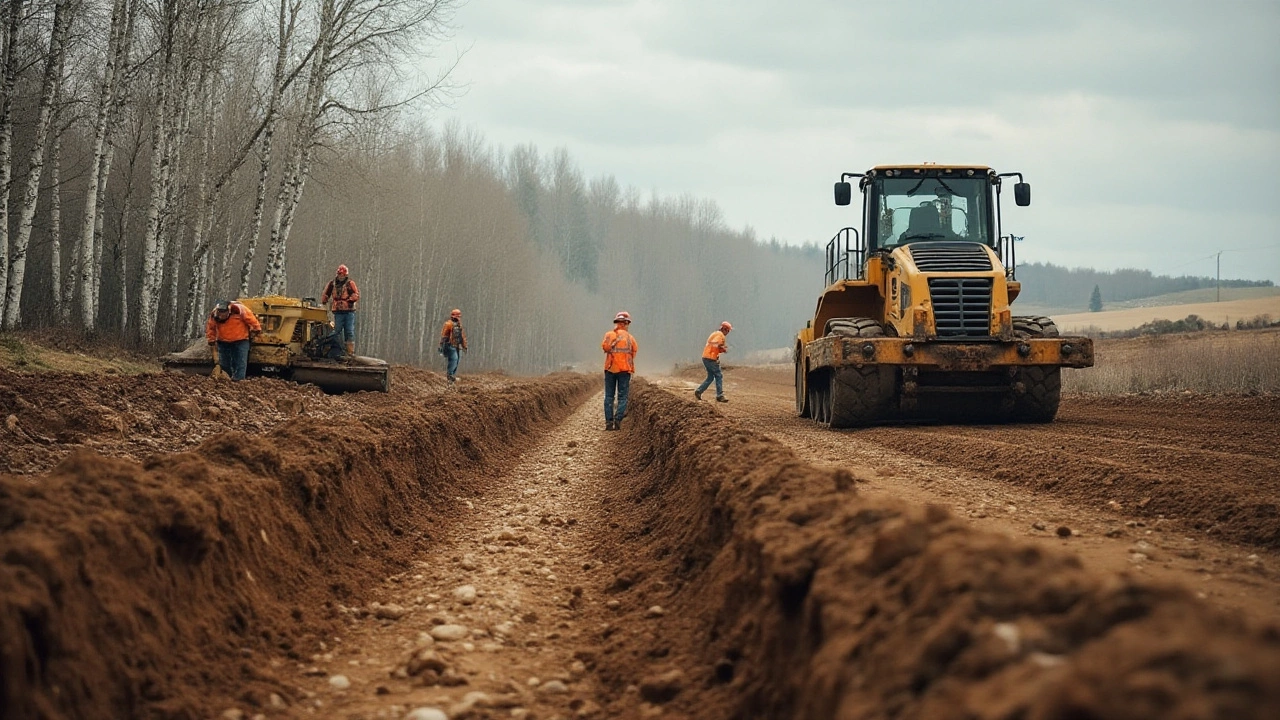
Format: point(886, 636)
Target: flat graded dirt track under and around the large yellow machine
point(1030, 481)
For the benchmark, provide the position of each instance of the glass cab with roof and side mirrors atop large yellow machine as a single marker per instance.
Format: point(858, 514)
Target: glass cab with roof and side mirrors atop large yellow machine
point(906, 204)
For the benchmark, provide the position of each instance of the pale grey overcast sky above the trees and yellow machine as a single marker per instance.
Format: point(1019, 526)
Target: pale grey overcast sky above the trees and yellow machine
point(1150, 131)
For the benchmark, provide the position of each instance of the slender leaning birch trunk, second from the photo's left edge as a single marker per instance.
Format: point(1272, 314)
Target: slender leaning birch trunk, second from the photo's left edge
point(28, 212)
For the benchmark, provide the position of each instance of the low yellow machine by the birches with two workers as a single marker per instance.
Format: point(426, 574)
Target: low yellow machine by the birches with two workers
point(296, 344)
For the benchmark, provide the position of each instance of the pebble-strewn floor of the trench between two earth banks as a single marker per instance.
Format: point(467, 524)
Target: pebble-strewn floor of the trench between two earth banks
point(502, 613)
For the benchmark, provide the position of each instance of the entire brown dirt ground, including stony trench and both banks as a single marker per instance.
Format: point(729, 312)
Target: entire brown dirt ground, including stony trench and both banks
point(492, 553)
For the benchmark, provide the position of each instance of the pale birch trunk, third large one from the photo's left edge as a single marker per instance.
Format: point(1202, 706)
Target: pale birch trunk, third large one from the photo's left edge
point(108, 90)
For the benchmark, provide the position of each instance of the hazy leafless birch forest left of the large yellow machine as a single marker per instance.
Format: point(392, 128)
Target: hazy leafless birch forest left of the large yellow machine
point(159, 154)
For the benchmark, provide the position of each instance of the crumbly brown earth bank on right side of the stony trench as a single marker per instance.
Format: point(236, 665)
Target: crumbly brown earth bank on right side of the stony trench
point(790, 596)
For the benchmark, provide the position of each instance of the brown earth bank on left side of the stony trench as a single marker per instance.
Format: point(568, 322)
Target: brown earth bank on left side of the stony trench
point(139, 591)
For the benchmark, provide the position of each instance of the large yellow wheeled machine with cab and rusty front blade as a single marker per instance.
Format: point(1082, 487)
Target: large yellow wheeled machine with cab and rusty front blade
point(916, 320)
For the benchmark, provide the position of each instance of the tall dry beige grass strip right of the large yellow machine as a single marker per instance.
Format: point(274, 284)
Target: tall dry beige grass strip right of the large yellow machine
point(1237, 362)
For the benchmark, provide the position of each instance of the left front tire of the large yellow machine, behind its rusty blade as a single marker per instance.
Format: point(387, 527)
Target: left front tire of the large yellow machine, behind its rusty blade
point(858, 397)
